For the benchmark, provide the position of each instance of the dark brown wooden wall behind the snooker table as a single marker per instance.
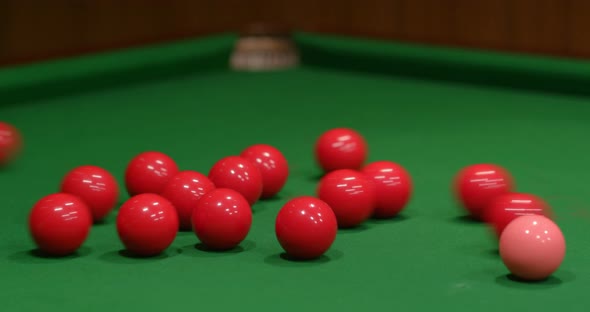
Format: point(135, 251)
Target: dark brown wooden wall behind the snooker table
point(32, 30)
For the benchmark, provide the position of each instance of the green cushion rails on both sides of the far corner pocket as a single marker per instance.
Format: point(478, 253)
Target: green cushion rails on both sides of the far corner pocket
point(206, 54)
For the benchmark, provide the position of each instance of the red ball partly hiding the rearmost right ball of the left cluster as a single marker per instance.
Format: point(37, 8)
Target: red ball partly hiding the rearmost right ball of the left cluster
point(239, 174)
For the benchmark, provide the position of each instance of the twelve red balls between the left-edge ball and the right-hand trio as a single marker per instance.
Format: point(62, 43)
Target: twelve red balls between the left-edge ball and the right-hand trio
point(217, 207)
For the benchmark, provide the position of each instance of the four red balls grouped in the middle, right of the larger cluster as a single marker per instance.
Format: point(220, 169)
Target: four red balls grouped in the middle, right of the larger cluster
point(348, 194)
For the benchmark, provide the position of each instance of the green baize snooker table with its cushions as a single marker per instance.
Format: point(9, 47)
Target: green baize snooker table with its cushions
point(433, 110)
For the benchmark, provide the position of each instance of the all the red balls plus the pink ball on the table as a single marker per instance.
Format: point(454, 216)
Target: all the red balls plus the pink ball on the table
point(218, 206)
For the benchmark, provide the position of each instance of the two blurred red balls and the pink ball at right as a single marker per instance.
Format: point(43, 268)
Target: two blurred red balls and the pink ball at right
point(530, 243)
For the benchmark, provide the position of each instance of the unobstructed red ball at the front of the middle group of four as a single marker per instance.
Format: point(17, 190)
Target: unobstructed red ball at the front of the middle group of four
point(306, 227)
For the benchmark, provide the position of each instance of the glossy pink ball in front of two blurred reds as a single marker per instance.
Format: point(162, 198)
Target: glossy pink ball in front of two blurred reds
point(532, 247)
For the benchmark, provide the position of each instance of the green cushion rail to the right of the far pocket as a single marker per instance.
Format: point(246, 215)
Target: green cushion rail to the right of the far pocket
point(457, 65)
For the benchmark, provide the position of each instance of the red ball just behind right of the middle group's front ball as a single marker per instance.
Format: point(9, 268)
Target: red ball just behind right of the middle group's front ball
point(350, 194)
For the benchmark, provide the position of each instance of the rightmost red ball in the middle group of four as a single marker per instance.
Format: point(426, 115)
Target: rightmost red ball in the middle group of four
point(393, 186)
